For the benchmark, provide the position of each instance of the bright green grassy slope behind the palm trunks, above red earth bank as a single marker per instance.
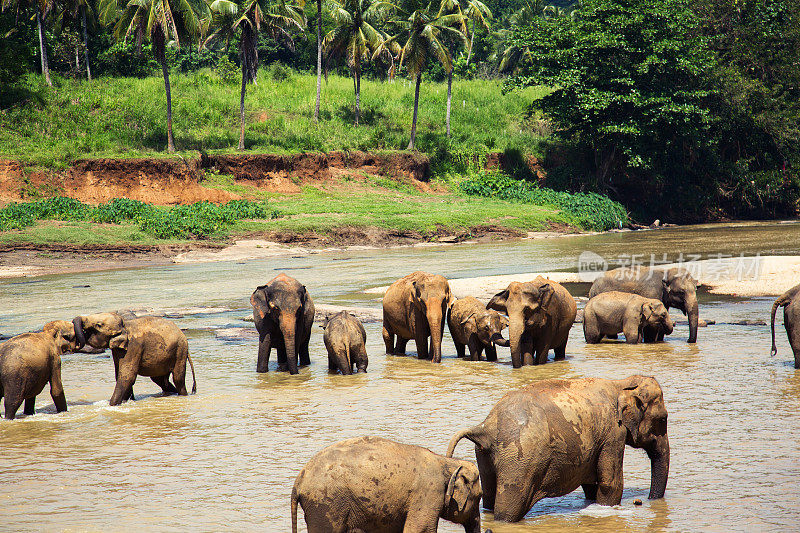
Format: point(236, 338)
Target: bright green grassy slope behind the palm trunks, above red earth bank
point(113, 117)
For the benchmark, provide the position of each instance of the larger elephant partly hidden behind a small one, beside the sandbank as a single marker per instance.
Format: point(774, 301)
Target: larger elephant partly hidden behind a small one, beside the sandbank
point(675, 287)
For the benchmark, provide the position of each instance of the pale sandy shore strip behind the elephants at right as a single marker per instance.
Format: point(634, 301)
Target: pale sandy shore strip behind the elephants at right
point(749, 276)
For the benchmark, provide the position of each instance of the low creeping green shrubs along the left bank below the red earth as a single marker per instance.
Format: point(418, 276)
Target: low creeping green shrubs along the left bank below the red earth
point(198, 220)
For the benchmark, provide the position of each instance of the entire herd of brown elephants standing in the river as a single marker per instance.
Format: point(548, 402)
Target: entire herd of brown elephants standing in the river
point(543, 440)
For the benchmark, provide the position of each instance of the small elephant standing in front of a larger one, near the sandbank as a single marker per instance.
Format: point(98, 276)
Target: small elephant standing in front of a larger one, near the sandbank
point(614, 312)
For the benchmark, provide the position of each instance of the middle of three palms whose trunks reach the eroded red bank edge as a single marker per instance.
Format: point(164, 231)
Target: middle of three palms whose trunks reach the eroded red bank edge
point(274, 17)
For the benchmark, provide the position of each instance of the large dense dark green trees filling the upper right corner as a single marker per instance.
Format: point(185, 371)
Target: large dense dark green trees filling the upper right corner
point(687, 110)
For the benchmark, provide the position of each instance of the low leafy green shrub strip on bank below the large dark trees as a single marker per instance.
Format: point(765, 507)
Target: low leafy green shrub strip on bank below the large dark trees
point(586, 210)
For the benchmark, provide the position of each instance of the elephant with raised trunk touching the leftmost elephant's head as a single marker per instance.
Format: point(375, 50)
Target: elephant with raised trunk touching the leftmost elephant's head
point(148, 346)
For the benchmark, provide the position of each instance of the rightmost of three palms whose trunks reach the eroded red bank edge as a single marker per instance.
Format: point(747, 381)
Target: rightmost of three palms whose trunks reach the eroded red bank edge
point(423, 31)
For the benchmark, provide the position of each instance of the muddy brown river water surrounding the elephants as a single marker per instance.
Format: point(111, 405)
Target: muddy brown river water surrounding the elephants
point(225, 459)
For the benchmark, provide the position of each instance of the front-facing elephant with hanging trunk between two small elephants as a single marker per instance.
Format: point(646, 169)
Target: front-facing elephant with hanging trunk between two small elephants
point(414, 307)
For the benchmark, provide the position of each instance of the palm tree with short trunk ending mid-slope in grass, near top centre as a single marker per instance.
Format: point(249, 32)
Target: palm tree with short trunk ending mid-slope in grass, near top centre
point(354, 37)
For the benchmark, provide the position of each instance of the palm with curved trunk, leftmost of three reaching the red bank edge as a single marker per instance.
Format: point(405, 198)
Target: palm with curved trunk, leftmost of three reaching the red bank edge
point(162, 20)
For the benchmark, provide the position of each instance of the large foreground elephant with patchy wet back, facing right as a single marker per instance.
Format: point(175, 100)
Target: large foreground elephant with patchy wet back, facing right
point(550, 437)
